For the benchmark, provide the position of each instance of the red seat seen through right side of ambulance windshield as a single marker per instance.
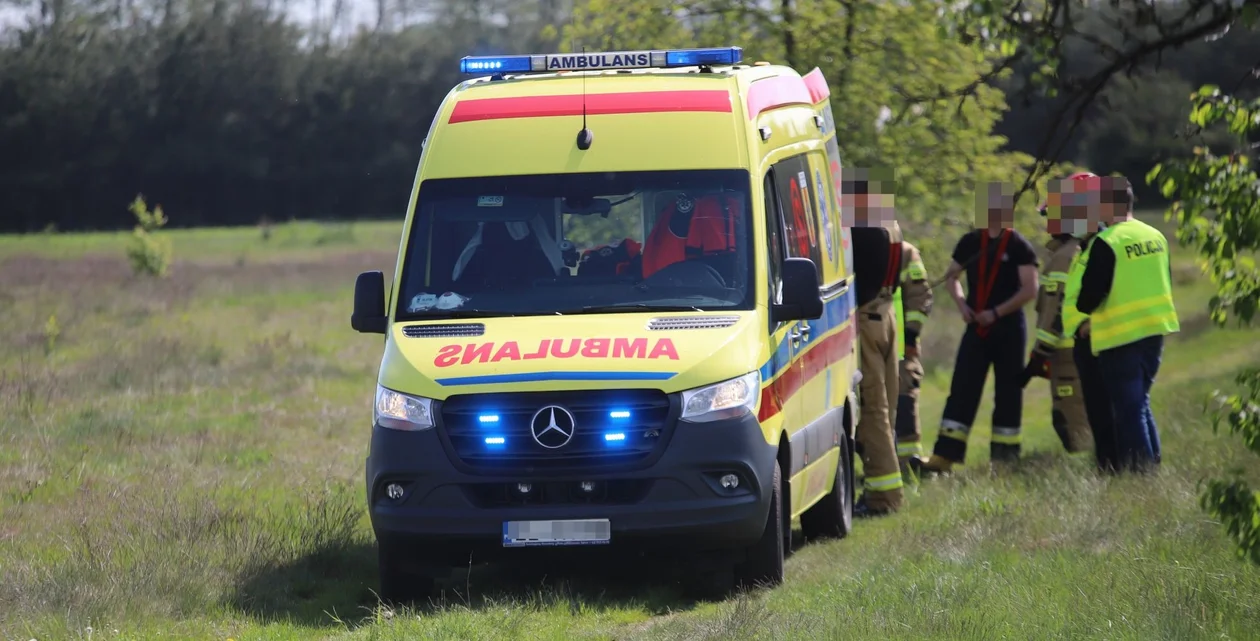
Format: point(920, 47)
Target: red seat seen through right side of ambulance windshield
point(690, 229)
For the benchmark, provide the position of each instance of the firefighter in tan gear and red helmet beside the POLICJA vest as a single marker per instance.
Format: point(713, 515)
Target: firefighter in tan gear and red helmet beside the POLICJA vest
point(1057, 332)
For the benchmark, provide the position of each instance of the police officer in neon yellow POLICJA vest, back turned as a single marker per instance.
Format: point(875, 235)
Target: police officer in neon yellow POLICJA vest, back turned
point(1127, 292)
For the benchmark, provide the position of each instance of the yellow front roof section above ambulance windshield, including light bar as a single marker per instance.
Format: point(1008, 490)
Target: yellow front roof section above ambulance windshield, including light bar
point(646, 110)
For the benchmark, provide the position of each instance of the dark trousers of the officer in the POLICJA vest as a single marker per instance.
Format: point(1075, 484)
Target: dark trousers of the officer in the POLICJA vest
point(1130, 372)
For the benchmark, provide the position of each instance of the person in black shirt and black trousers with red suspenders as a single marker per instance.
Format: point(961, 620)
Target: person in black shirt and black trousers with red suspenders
point(1001, 269)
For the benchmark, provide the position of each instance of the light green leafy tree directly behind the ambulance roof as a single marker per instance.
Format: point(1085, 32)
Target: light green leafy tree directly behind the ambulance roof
point(880, 60)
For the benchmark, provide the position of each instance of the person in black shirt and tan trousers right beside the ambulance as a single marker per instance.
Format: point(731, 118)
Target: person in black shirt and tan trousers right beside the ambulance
point(876, 265)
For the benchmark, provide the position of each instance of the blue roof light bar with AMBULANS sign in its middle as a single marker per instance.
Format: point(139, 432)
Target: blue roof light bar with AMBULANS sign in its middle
point(580, 62)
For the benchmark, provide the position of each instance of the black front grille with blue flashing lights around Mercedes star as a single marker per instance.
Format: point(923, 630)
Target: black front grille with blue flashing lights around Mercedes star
point(643, 420)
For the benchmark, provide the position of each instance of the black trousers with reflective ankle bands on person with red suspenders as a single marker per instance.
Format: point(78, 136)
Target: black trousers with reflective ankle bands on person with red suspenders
point(1004, 349)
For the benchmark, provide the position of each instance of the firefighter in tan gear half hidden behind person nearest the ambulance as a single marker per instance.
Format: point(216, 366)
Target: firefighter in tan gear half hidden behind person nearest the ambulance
point(914, 304)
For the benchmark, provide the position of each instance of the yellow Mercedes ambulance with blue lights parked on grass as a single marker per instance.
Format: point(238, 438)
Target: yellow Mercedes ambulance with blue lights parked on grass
point(623, 315)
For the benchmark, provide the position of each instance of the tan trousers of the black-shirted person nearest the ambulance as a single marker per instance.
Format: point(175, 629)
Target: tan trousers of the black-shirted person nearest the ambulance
point(879, 387)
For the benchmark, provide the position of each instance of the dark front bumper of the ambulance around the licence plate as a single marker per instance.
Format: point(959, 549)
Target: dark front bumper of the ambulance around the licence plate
point(677, 502)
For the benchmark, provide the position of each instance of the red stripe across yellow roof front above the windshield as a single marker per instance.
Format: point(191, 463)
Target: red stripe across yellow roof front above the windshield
point(715, 101)
